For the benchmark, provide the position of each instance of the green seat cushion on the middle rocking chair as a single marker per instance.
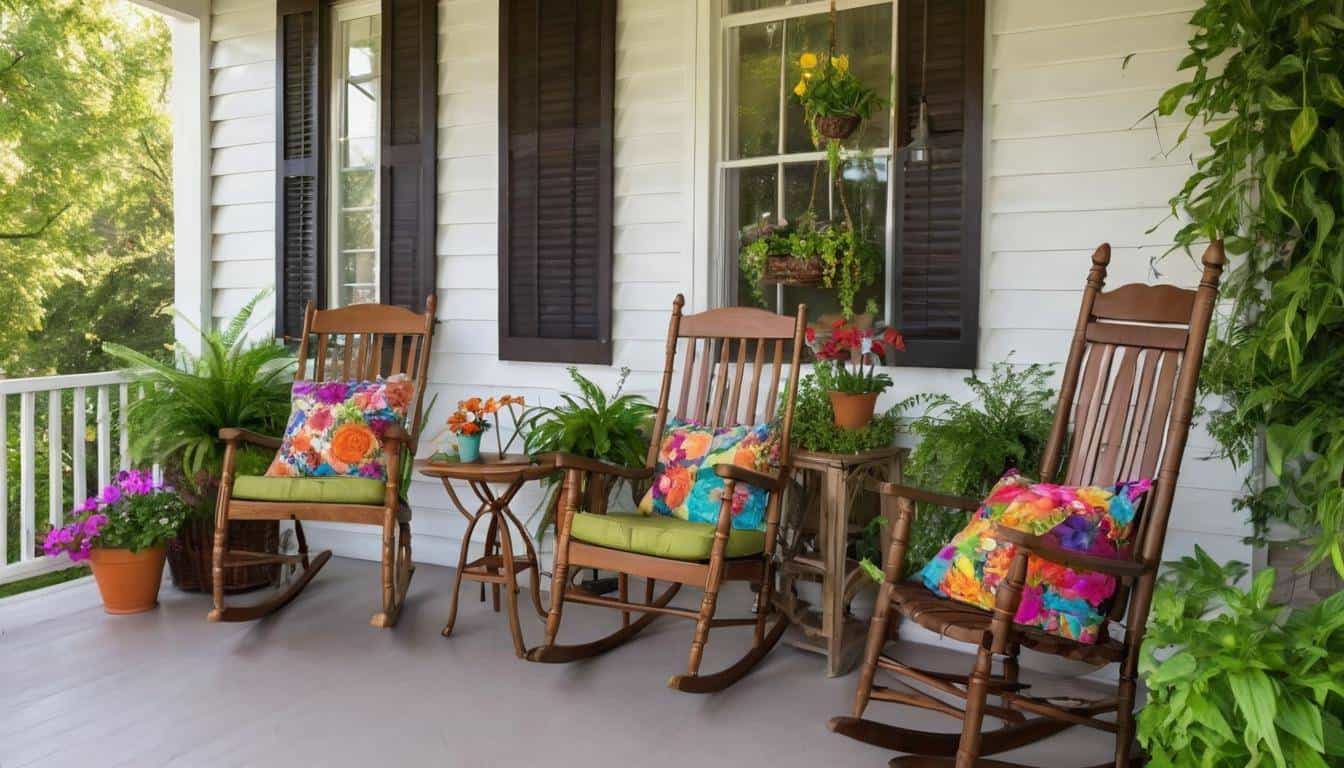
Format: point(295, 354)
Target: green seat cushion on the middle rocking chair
point(662, 536)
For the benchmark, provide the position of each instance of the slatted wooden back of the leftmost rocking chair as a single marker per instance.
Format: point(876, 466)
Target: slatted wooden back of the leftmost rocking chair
point(369, 341)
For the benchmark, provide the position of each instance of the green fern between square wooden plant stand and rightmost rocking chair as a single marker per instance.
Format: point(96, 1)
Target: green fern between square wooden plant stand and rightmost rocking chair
point(966, 447)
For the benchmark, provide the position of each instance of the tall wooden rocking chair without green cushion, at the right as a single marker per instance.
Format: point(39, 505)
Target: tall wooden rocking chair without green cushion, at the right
point(1130, 385)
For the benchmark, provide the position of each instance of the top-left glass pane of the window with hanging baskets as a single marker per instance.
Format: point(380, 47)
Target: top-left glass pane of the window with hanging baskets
point(755, 127)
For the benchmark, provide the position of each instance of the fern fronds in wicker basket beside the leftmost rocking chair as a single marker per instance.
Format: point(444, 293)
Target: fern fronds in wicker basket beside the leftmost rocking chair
point(230, 384)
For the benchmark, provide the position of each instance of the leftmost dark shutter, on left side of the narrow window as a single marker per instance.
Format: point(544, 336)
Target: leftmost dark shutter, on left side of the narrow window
point(299, 190)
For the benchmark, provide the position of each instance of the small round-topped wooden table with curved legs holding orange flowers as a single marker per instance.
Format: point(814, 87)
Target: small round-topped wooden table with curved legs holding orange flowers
point(498, 567)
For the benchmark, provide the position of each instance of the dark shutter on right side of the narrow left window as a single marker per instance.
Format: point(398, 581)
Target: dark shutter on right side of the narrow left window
point(411, 98)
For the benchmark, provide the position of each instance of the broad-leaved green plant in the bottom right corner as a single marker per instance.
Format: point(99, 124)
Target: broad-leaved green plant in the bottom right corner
point(1234, 680)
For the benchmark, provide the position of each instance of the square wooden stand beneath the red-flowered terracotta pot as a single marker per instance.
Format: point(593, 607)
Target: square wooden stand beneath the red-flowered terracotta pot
point(815, 549)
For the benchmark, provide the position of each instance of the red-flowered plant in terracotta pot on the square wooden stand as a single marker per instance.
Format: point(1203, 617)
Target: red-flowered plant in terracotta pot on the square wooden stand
point(847, 369)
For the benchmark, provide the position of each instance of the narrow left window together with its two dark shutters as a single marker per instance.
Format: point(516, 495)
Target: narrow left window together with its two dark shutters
point(355, 188)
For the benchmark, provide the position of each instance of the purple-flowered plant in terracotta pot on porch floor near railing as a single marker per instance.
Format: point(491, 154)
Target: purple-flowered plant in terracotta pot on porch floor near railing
point(123, 535)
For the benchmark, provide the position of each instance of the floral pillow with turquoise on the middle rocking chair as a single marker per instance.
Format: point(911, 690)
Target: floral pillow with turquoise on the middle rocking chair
point(685, 485)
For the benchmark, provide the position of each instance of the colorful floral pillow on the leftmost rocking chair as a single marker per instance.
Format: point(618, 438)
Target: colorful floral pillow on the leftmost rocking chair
point(337, 428)
